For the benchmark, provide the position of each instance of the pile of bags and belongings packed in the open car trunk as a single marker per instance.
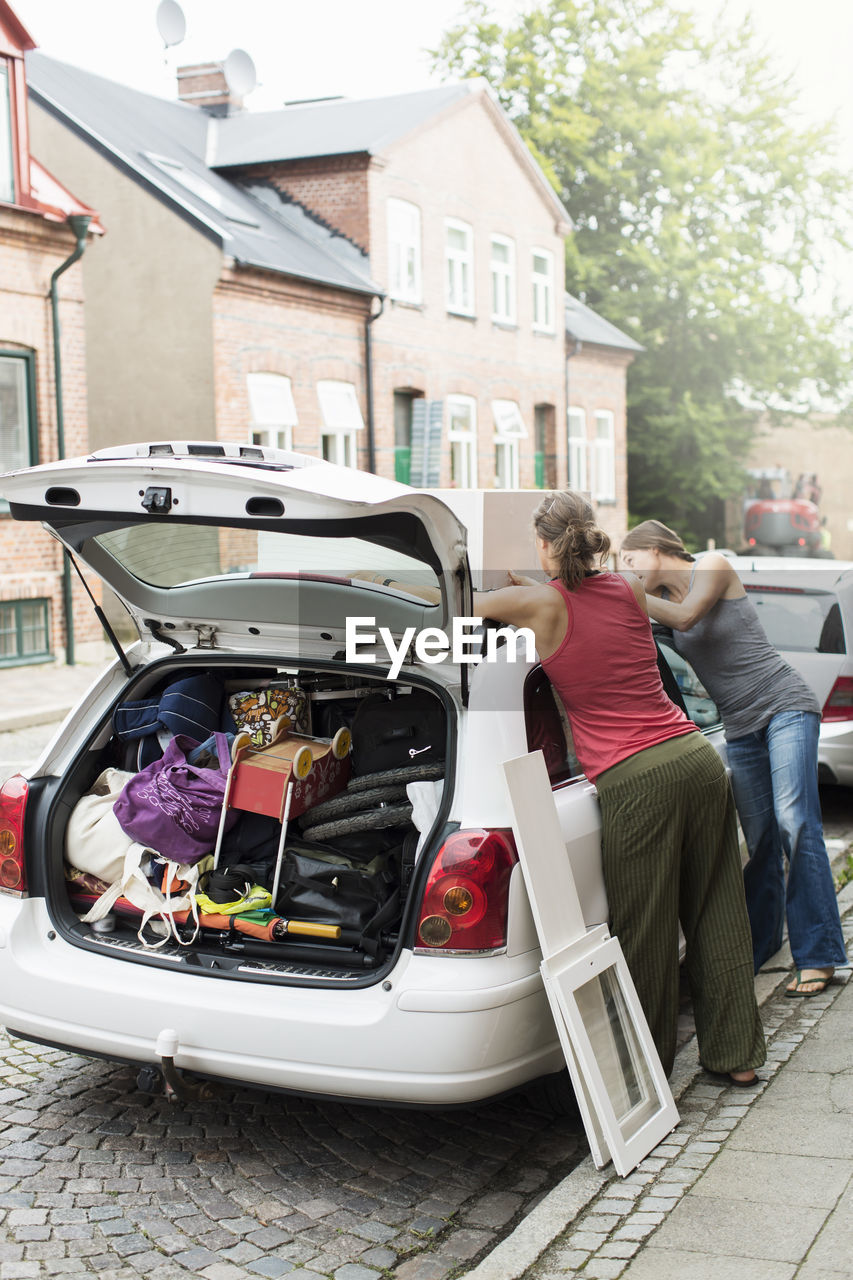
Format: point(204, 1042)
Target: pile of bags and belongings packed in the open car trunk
point(276, 821)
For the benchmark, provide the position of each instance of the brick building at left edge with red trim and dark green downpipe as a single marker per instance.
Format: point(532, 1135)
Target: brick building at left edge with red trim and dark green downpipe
point(43, 230)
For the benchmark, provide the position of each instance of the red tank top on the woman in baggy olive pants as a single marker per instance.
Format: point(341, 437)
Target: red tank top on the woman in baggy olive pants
point(606, 675)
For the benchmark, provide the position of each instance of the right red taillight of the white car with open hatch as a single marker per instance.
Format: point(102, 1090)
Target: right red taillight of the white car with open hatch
point(467, 897)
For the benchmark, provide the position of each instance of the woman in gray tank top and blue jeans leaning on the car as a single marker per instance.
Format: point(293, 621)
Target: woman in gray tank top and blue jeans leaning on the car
point(772, 721)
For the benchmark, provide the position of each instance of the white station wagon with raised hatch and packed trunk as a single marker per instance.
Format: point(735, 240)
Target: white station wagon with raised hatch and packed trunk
point(245, 564)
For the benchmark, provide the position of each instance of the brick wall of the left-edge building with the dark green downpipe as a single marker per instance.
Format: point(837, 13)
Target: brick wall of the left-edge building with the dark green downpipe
point(30, 252)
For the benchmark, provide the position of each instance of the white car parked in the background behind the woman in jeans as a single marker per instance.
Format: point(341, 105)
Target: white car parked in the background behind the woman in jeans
point(806, 607)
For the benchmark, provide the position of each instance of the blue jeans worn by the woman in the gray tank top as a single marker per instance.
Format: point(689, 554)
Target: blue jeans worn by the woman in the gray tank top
point(774, 779)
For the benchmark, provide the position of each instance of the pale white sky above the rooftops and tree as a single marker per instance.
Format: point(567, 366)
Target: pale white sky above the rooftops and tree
point(371, 48)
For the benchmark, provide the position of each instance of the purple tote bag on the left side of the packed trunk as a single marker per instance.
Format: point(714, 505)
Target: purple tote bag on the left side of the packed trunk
point(175, 807)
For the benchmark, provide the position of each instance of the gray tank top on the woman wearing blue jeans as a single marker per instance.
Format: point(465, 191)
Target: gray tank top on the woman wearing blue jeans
point(747, 678)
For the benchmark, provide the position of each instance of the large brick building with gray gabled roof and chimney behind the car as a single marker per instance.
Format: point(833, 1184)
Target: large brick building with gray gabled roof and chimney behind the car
point(378, 282)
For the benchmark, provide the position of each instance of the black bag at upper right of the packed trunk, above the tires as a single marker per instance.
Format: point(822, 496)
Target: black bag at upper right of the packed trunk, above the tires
point(390, 733)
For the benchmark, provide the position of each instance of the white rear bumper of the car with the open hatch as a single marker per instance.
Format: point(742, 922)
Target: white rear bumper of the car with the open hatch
point(439, 1031)
